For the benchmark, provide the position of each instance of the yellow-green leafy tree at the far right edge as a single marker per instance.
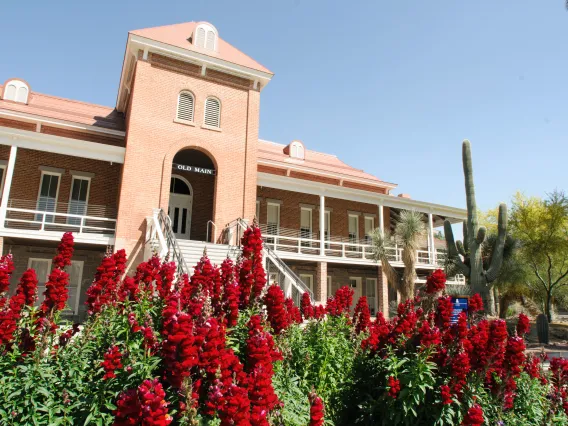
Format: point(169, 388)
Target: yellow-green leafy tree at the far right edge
point(542, 229)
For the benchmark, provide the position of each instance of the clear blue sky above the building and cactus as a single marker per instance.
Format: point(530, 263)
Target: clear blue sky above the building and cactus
point(391, 87)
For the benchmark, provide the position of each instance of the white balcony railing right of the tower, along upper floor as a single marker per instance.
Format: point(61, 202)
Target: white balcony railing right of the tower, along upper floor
point(302, 242)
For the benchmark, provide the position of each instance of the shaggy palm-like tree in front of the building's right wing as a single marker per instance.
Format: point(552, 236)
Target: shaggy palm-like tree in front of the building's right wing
point(409, 231)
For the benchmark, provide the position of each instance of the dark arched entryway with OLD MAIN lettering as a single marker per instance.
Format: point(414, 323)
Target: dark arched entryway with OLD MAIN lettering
point(192, 194)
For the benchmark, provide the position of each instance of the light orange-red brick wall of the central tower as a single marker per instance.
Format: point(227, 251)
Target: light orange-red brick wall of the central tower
point(153, 139)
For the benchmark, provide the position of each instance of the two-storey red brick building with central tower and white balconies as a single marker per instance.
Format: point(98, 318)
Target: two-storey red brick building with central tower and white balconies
point(177, 165)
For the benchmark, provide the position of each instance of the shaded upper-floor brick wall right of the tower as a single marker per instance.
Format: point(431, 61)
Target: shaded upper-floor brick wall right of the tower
point(291, 207)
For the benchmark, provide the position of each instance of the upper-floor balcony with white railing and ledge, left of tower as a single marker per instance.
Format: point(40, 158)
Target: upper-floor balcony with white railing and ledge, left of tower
point(93, 224)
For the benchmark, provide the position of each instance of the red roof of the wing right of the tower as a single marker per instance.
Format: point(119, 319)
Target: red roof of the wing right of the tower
point(316, 161)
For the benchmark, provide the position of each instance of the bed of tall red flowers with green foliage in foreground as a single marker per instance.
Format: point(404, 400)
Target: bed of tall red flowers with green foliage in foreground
point(223, 348)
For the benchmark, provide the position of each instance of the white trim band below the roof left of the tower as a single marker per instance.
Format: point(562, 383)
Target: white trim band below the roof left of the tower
point(61, 145)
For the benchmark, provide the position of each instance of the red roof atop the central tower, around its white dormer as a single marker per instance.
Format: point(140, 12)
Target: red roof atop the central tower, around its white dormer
point(178, 34)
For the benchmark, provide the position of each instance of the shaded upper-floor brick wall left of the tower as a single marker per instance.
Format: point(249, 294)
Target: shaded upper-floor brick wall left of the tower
point(27, 176)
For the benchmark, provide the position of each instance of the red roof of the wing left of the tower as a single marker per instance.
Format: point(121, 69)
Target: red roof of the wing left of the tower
point(48, 106)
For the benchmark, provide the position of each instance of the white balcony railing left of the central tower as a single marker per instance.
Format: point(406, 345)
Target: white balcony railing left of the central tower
point(96, 220)
